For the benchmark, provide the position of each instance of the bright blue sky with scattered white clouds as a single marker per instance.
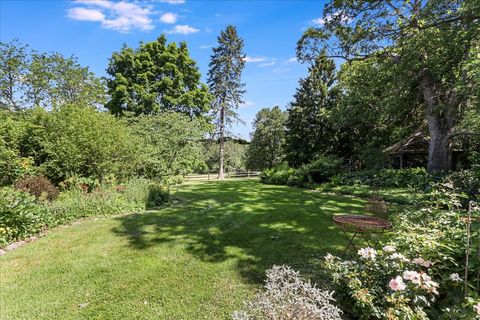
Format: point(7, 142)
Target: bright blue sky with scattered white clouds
point(93, 29)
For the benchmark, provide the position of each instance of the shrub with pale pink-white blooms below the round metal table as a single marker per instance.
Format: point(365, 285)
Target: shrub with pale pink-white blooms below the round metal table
point(385, 284)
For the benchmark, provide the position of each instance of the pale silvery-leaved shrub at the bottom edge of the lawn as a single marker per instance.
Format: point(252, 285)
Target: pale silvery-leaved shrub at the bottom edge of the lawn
point(287, 296)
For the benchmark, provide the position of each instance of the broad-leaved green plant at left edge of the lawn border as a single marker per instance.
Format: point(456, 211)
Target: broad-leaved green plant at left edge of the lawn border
point(21, 215)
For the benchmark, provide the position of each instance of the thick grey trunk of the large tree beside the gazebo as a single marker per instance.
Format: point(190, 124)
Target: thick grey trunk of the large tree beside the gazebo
point(441, 123)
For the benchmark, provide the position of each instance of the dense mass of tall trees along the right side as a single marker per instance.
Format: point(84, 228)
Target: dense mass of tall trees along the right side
point(417, 72)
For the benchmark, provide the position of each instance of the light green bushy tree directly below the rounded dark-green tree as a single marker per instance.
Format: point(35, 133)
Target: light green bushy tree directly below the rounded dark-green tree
point(171, 144)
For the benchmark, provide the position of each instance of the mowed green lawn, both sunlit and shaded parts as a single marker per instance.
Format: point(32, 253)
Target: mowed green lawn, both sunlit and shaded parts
point(198, 259)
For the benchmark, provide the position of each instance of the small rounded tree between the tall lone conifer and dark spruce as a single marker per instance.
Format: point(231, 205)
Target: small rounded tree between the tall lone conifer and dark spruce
point(268, 139)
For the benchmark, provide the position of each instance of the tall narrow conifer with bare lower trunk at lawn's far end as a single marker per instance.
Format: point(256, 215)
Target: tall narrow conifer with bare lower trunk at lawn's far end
point(224, 80)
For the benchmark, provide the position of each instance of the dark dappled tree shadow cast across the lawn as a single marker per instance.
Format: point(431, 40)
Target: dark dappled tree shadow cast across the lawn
point(258, 225)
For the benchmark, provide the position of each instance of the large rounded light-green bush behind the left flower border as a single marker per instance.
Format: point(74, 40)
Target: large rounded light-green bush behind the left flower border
point(91, 144)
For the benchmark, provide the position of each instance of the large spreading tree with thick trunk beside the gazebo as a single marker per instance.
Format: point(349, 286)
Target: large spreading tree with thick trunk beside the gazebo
point(432, 41)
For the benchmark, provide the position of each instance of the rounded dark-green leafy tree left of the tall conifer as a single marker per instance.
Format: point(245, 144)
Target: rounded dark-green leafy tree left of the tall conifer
point(155, 78)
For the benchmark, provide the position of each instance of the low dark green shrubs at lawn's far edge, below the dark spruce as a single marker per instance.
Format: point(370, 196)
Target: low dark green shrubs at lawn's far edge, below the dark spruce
point(318, 171)
